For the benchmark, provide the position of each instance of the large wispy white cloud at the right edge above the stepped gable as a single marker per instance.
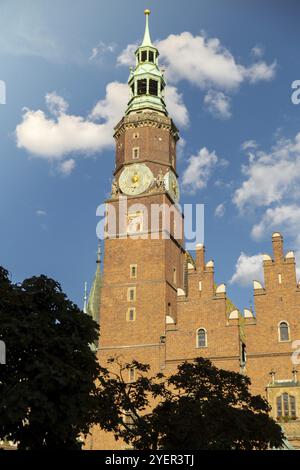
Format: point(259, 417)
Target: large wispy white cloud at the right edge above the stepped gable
point(272, 181)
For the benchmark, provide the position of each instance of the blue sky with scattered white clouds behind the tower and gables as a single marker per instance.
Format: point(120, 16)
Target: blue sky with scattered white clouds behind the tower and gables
point(230, 66)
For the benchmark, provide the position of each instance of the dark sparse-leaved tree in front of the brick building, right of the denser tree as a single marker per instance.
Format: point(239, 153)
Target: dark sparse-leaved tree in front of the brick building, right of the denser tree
point(200, 407)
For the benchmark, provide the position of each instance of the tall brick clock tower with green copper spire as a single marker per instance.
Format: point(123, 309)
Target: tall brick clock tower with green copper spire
point(144, 257)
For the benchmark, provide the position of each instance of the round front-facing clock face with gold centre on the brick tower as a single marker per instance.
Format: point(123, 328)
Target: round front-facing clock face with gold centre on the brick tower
point(135, 179)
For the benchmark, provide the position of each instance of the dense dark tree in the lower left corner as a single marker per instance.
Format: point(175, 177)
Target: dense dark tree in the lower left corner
point(47, 387)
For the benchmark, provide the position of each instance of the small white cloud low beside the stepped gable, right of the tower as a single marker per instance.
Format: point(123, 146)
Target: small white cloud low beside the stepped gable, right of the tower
point(248, 269)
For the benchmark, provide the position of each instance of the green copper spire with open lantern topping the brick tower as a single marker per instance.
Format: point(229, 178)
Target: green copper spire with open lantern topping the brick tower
point(146, 80)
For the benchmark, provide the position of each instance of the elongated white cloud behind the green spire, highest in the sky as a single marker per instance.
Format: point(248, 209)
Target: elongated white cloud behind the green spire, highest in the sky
point(203, 61)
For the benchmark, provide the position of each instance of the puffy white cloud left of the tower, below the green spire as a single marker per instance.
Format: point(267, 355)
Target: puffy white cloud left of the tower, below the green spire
point(55, 137)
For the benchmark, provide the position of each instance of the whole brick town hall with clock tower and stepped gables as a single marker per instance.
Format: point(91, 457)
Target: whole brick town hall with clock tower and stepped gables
point(156, 303)
